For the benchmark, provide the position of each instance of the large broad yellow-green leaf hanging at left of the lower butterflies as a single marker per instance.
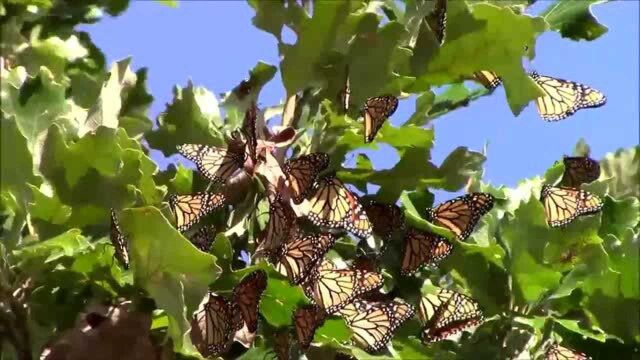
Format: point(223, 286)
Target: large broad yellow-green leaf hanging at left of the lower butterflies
point(173, 271)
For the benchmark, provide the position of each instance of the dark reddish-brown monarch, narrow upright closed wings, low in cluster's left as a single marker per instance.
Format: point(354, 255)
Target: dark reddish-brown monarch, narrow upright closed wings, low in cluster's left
point(246, 296)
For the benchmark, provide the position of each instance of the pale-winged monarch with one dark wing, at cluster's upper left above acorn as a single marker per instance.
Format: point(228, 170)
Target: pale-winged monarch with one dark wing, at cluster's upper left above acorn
point(216, 164)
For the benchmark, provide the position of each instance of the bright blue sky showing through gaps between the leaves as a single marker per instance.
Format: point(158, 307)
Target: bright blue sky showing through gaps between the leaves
point(214, 44)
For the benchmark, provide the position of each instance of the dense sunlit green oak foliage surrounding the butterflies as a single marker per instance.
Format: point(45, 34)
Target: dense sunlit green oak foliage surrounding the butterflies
point(75, 143)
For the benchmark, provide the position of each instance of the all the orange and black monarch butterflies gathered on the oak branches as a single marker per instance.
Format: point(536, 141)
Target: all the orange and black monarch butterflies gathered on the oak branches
point(310, 208)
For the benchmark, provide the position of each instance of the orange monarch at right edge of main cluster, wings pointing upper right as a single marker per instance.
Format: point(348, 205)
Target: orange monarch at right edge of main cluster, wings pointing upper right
point(461, 215)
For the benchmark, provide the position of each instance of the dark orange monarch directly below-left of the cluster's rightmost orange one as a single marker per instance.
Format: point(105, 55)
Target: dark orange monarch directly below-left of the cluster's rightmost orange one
point(423, 248)
